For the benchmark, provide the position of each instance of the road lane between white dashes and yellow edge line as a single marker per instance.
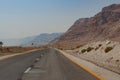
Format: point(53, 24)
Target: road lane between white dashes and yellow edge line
point(54, 66)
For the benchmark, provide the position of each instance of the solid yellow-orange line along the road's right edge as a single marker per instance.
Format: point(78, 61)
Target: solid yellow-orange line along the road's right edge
point(86, 69)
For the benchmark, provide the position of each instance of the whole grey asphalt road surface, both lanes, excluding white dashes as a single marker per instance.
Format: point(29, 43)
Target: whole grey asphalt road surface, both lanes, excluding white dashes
point(52, 66)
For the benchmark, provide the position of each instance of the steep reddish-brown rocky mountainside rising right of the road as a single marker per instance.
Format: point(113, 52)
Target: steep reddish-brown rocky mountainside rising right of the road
point(104, 25)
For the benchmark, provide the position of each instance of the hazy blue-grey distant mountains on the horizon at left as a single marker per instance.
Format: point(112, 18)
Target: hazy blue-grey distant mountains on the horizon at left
point(38, 40)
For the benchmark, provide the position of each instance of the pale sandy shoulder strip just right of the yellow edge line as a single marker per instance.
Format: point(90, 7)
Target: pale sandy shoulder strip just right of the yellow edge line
point(106, 74)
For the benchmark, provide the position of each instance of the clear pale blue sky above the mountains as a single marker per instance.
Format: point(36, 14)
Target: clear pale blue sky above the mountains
point(22, 18)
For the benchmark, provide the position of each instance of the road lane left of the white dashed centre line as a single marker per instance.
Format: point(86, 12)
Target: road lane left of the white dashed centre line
point(13, 68)
